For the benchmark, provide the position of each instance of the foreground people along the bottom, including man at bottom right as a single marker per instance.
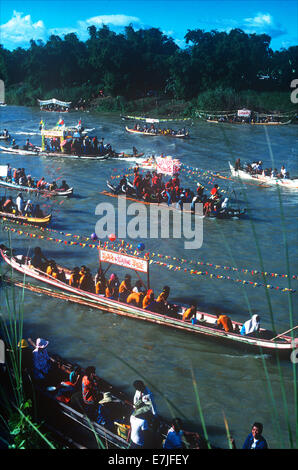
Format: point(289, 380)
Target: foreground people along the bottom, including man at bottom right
point(136, 420)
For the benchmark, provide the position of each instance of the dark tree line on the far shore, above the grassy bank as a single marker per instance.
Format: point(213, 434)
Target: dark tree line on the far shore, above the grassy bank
point(146, 62)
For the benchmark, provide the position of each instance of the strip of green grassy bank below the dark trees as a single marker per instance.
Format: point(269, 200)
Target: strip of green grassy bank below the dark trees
point(160, 106)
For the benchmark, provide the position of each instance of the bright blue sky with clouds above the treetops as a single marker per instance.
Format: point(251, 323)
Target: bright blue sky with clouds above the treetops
point(38, 19)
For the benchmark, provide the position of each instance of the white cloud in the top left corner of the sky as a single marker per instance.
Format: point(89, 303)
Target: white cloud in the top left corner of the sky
point(20, 29)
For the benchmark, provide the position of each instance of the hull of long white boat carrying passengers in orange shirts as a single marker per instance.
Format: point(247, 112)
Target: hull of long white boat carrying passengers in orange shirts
point(204, 325)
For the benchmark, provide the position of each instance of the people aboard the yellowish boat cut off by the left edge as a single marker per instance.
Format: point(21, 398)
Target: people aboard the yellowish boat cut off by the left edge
point(20, 207)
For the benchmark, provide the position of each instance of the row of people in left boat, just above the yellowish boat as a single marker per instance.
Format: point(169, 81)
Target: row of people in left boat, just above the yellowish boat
point(18, 176)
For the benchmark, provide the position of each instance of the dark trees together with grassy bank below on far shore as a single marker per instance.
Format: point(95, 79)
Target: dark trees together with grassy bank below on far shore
point(145, 72)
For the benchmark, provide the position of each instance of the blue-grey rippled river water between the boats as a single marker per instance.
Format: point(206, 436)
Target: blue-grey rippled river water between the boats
point(244, 387)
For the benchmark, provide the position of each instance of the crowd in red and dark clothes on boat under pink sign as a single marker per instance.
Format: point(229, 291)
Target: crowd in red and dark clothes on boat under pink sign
point(151, 187)
